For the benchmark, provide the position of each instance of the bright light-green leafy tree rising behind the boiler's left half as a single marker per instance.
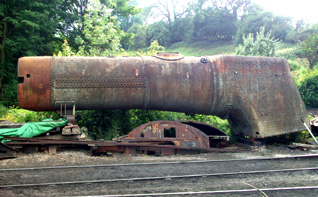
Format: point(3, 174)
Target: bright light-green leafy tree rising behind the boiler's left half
point(74, 13)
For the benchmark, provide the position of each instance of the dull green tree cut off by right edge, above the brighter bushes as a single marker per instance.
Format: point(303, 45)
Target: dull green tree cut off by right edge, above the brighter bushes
point(309, 49)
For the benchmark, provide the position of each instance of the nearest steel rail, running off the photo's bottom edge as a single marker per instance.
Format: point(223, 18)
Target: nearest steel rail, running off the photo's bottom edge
point(215, 192)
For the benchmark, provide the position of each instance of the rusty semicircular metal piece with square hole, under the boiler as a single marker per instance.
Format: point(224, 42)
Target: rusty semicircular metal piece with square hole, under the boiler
point(180, 134)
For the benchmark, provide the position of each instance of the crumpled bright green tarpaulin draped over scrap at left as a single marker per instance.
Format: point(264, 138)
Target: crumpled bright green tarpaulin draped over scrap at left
point(32, 129)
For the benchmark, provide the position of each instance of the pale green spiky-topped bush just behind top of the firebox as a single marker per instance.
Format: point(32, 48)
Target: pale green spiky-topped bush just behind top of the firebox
point(262, 45)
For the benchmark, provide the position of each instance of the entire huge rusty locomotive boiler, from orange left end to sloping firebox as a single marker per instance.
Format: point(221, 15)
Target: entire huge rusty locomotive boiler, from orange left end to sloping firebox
point(256, 94)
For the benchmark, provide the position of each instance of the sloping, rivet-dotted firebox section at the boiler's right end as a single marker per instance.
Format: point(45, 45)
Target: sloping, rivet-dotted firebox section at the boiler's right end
point(260, 96)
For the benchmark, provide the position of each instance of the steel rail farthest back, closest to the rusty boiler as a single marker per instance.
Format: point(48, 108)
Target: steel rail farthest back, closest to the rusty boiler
point(160, 163)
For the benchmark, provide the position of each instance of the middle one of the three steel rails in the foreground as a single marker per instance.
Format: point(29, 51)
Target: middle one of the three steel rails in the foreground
point(158, 178)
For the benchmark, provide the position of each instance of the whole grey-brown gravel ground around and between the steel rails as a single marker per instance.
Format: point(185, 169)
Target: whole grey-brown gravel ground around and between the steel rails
point(80, 157)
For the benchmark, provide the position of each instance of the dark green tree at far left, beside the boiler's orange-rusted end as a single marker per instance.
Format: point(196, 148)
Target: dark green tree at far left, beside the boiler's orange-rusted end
point(26, 28)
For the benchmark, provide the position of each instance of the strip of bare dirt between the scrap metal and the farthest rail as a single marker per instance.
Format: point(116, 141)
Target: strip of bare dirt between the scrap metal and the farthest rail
point(66, 157)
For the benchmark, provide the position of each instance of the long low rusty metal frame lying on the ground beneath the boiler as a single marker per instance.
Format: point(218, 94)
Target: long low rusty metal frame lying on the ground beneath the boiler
point(98, 147)
